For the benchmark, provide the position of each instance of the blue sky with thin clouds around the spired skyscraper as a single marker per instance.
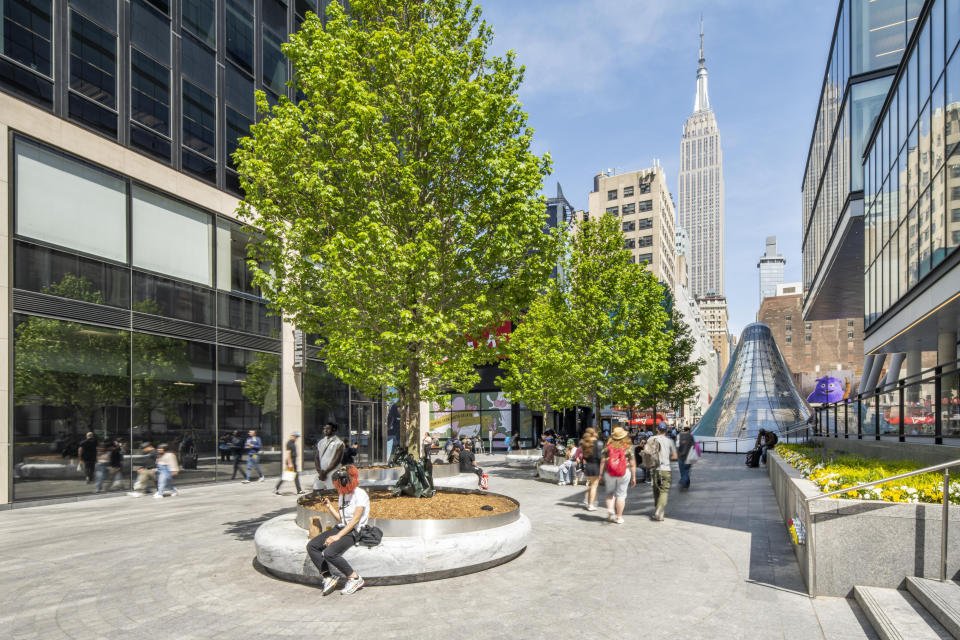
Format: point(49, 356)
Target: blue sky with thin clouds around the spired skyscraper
point(609, 84)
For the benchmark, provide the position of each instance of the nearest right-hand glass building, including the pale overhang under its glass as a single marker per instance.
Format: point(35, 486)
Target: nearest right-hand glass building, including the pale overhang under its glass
point(912, 197)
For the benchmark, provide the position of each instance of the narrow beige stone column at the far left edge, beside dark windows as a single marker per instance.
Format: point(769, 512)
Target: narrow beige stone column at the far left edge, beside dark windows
point(6, 270)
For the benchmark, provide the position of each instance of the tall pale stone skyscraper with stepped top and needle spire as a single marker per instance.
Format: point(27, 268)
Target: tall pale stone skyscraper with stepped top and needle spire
point(701, 190)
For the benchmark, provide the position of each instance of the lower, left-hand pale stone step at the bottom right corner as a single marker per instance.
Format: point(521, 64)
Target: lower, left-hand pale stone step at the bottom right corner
point(897, 615)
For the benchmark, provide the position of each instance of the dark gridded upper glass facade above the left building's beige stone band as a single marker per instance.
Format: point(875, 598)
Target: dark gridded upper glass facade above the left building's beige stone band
point(172, 80)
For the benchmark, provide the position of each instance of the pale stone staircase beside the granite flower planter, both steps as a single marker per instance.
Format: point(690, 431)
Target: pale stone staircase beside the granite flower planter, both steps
point(926, 609)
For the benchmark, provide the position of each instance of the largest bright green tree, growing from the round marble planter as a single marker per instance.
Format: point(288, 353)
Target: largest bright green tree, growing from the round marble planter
point(397, 199)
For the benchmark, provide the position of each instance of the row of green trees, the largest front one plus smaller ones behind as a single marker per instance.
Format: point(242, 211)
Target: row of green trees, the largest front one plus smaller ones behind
point(399, 210)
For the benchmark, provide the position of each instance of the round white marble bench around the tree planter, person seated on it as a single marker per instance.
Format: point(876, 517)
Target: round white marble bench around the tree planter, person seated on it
point(411, 550)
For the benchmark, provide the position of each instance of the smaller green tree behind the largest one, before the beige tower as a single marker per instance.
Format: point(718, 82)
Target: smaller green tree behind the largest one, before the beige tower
point(597, 335)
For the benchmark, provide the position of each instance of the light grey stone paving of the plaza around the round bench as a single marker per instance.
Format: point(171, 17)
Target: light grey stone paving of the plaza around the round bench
point(719, 566)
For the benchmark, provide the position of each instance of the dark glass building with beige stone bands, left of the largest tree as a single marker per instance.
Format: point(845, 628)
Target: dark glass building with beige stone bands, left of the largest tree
point(127, 306)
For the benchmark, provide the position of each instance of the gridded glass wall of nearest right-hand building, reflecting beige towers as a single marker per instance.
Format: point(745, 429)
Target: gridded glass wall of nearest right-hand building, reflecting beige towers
point(912, 167)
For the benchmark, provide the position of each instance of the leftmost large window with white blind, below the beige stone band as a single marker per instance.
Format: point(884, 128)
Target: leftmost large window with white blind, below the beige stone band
point(86, 212)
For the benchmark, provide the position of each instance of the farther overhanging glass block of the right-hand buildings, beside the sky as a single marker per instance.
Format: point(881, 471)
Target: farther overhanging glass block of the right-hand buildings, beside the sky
point(868, 41)
